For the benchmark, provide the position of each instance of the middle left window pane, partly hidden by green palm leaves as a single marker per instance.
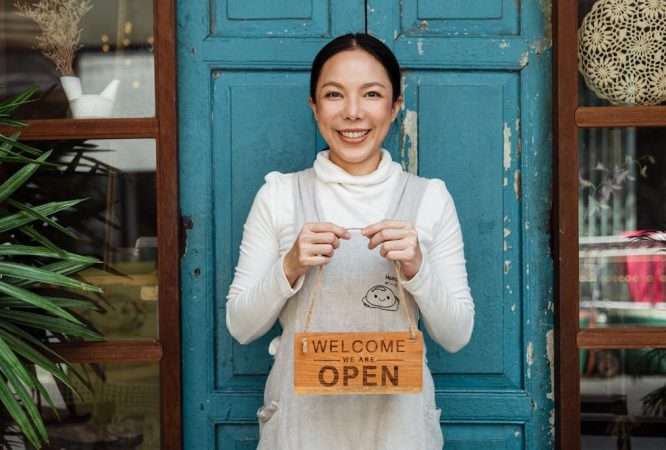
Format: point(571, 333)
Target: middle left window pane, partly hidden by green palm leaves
point(116, 223)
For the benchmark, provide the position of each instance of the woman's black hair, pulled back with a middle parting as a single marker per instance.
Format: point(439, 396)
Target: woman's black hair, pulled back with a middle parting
point(376, 48)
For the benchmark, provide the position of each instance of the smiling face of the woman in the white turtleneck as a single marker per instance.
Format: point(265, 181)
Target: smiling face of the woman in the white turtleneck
point(354, 109)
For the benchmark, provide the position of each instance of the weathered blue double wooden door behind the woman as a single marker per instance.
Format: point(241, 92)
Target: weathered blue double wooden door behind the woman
point(477, 114)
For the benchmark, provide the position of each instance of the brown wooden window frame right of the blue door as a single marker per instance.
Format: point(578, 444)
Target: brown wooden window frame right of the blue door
point(568, 118)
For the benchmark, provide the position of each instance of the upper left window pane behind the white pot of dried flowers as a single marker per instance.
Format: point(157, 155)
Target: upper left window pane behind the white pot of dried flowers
point(116, 43)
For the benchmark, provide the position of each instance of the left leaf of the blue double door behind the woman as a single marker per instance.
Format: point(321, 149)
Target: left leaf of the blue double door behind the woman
point(244, 83)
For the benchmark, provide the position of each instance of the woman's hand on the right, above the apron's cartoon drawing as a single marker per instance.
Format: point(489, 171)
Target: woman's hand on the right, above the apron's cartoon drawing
point(399, 242)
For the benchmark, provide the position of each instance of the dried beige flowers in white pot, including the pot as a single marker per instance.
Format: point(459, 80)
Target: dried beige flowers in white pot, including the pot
point(59, 41)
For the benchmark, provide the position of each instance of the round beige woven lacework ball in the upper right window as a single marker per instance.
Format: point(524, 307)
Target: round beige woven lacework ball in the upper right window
point(622, 51)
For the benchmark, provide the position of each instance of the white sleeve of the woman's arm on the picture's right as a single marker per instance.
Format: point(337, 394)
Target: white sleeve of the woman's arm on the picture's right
point(440, 287)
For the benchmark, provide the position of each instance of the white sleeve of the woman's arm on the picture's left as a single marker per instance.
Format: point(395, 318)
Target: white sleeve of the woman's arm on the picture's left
point(260, 288)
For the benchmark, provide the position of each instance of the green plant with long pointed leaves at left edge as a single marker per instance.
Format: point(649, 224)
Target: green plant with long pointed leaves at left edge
point(29, 265)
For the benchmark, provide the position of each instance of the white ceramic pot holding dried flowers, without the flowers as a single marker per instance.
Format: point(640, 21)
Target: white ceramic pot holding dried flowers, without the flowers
point(89, 106)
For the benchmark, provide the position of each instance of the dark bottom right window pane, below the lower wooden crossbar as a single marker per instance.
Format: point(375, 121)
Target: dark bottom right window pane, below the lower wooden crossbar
point(623, 399)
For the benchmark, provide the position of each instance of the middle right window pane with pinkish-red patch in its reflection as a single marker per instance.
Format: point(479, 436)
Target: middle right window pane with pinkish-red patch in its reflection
point(622, 201)
